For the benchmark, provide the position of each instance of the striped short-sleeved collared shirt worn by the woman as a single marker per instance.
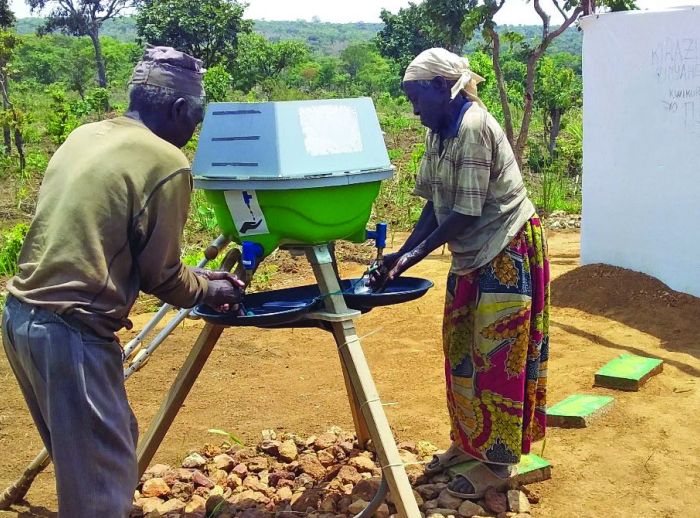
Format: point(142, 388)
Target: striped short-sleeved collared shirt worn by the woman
point(475, 174)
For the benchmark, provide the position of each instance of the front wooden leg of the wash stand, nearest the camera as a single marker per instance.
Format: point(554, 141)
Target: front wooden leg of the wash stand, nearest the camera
point(363, 390)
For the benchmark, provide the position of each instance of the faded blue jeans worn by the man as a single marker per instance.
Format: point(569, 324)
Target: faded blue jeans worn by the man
point(73, 384)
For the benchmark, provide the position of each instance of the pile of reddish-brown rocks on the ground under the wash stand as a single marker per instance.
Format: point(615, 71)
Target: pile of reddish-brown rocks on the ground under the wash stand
point(287, 476)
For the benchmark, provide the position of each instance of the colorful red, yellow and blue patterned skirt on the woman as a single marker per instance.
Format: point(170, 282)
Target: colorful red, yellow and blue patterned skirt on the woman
point(496, 343)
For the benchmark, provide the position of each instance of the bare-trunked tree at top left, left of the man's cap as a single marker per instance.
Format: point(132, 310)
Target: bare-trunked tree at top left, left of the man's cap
point(81, 18)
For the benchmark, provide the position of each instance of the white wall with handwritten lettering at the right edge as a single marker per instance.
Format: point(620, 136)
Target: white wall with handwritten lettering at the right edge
point(641, 151)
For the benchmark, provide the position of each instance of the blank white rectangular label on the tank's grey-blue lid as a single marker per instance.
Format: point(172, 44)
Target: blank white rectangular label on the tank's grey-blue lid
point(330, 129)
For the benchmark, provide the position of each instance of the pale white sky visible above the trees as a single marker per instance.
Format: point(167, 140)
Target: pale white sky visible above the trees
point(515, 12)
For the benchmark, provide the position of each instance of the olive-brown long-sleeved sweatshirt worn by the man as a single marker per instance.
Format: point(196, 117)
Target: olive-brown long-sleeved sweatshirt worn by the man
point(108, 223)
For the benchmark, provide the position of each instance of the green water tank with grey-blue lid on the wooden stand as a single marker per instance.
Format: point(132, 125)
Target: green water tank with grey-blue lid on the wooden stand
point(291, 173)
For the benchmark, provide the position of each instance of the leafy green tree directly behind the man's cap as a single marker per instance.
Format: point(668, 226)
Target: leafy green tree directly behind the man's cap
point(207, 29)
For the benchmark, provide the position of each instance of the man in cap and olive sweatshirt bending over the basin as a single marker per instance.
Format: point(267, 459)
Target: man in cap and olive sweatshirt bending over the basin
point(108, 223)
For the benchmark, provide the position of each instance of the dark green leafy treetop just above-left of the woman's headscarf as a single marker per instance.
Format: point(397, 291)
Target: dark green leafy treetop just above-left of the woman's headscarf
point(406, 34)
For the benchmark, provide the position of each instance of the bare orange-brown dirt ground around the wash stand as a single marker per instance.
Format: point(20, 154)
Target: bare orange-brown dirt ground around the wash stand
point(639, 460)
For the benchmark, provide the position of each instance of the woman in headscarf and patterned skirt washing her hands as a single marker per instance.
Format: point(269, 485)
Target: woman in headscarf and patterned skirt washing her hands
point(495, 330)
